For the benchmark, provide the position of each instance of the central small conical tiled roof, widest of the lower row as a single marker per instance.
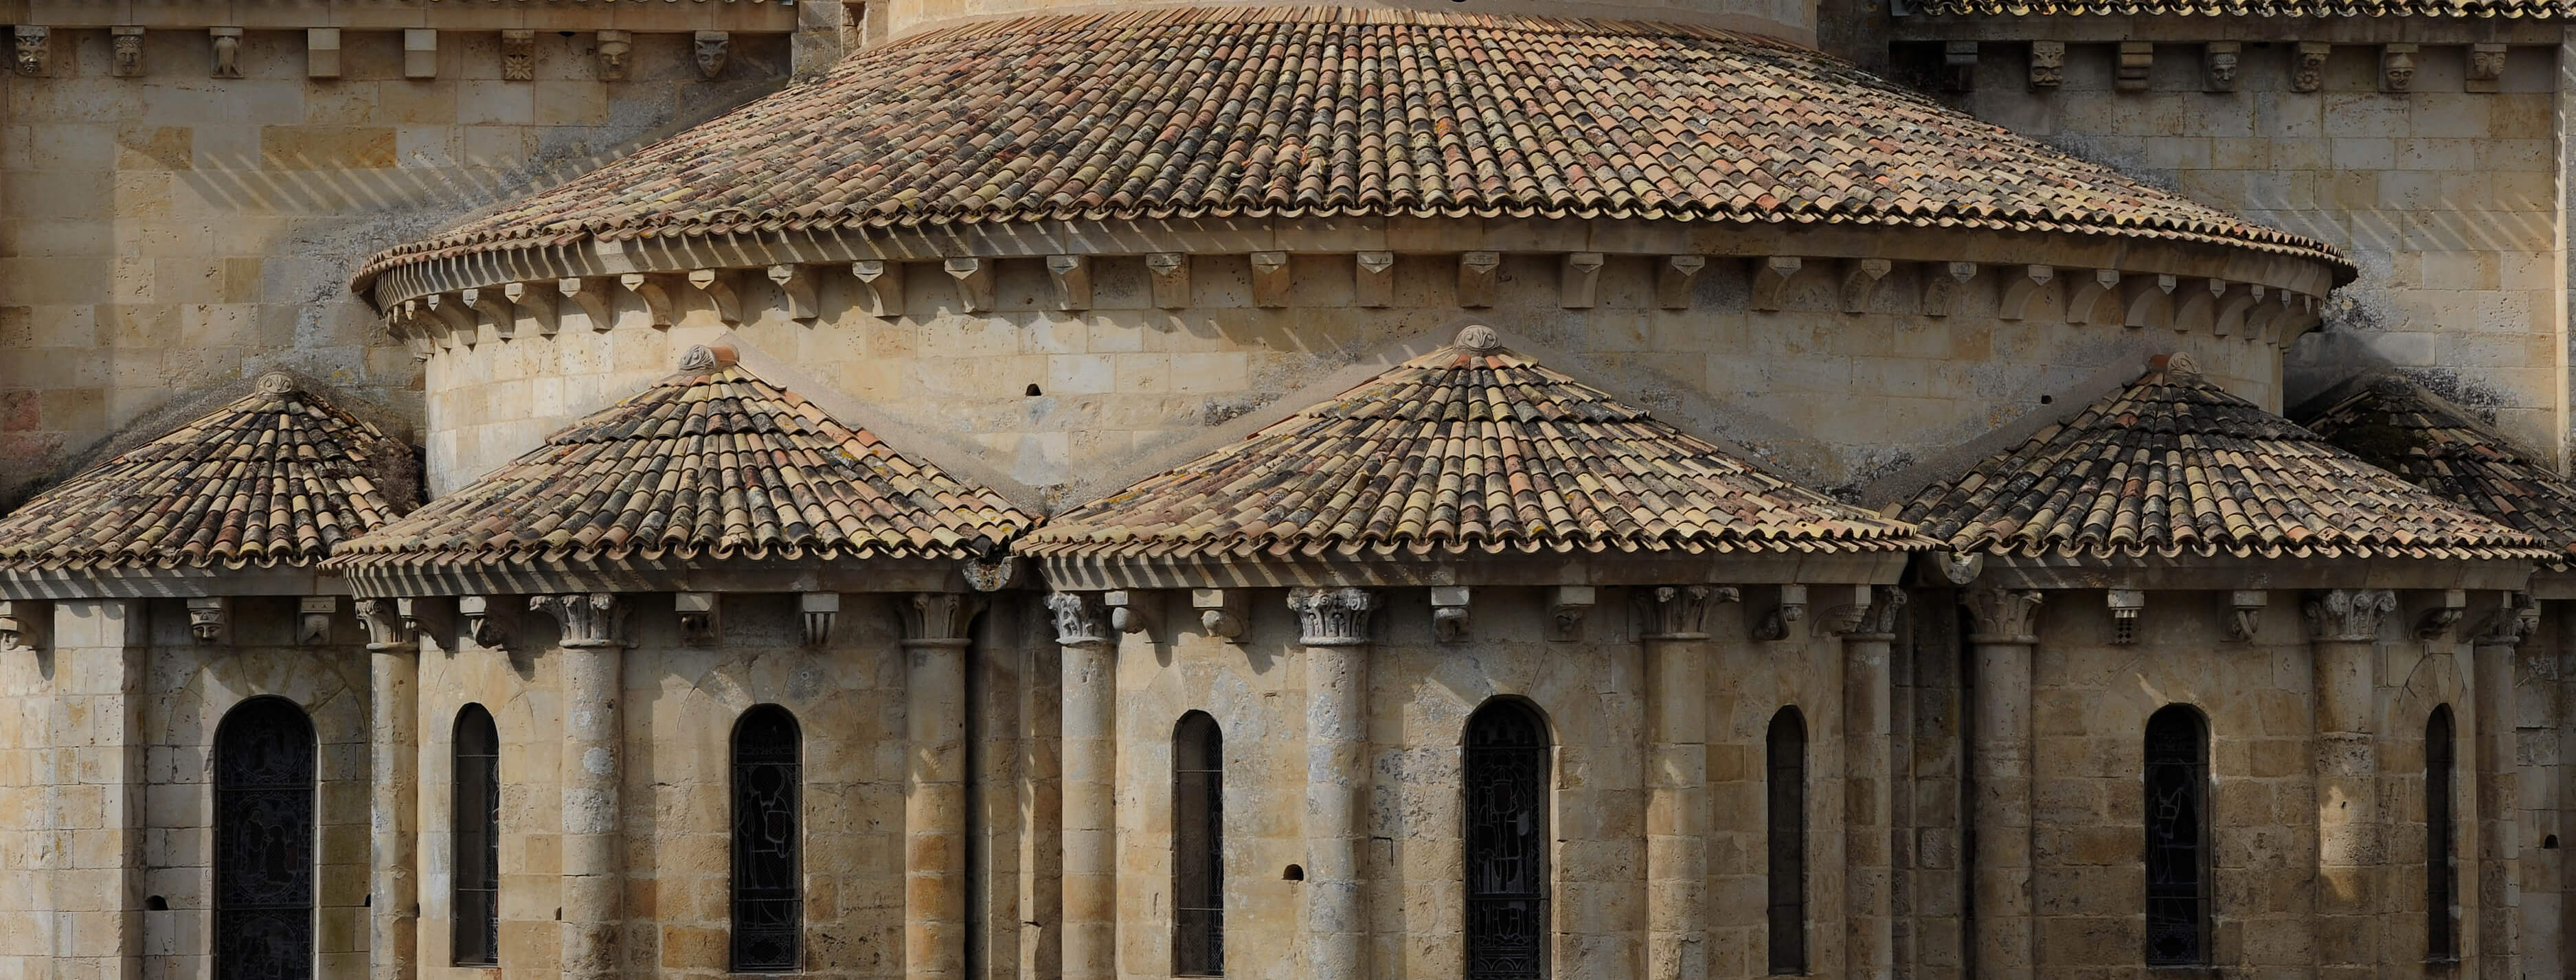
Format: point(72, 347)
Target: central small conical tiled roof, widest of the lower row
point(1470, 449)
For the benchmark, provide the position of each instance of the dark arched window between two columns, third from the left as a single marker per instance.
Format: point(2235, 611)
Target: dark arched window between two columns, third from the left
point(769, 884)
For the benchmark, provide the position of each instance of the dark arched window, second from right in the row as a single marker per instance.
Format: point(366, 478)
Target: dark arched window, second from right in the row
point(2178, 840)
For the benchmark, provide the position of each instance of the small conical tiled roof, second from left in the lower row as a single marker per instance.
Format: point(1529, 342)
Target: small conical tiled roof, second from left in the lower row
point(707, 464)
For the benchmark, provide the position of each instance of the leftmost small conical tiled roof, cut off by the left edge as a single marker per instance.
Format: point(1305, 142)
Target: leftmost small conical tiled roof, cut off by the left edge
point(272, 480)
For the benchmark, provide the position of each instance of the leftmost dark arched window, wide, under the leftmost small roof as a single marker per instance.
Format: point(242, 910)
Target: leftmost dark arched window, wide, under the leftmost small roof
point(264, 842)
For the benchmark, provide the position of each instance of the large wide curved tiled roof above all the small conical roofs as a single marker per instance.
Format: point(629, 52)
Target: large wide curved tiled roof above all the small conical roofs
point(1323, 112)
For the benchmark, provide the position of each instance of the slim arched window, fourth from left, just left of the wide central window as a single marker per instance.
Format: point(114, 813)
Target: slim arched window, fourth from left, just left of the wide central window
point(1199, 848)
